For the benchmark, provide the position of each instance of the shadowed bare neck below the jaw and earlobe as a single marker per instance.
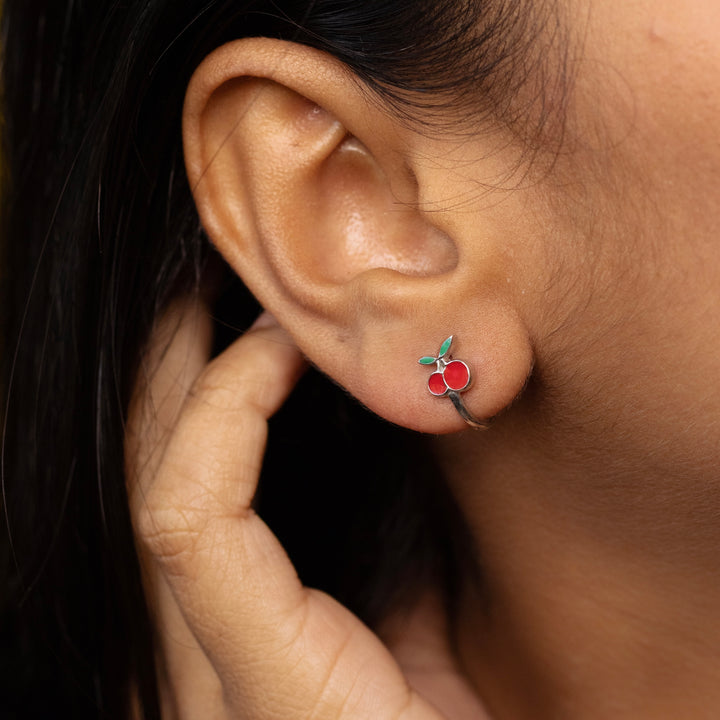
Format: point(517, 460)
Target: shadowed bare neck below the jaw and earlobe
point(601, 585)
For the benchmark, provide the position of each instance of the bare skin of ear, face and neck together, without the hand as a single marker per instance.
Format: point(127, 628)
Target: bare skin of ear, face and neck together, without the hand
point(591, 269)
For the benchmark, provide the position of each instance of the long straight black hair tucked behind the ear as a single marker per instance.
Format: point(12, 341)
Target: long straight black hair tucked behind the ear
point(99, 233)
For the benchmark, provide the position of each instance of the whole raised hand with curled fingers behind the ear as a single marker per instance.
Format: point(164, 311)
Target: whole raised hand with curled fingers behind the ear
point(238, 634)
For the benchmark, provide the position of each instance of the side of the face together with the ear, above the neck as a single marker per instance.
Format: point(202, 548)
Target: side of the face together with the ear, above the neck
point(606, 256)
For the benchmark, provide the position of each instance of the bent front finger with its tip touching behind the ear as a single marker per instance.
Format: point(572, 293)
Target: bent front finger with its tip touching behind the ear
point(281, 651)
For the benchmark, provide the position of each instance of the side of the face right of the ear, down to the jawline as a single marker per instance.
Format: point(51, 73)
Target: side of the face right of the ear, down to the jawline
point(628, 331)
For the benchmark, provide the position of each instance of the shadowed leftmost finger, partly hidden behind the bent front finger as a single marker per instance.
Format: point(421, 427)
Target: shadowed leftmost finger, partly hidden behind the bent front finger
point(176, 354)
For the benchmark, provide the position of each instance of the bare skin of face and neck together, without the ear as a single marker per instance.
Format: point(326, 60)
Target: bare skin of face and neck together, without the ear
point(595, 505)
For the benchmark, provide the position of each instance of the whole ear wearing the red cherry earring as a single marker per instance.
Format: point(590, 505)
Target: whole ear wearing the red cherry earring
point(314, 194)
